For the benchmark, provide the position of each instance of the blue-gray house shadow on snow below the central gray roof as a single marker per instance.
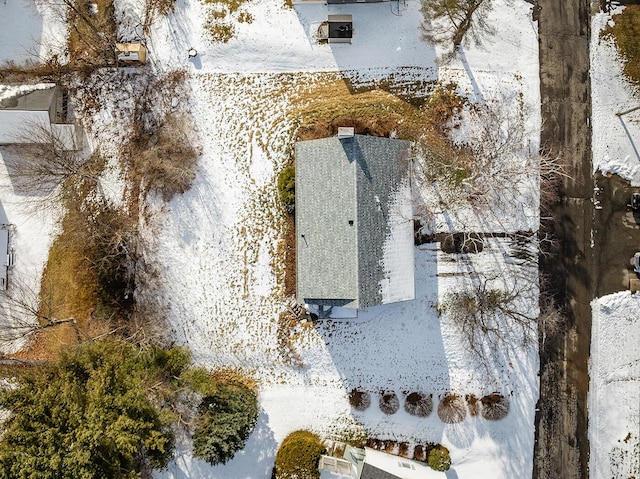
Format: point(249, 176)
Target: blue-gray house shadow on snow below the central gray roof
point(396, 347)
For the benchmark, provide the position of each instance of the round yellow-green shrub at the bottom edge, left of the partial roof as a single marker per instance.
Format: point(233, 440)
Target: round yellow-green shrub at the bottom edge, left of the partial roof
point(298, 456)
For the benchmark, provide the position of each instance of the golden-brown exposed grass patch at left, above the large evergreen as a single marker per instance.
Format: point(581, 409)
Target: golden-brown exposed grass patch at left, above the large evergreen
point(86, 274)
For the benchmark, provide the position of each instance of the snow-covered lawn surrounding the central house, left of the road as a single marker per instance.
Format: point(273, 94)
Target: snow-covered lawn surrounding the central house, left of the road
point(216, 245)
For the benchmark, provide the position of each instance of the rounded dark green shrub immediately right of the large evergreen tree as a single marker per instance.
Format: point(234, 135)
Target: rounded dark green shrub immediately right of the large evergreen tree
point(224, 421)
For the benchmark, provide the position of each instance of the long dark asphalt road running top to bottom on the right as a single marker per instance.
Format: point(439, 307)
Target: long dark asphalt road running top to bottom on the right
point(562, 447)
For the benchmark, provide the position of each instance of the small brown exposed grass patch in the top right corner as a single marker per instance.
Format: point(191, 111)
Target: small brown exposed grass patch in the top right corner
point(625, 32)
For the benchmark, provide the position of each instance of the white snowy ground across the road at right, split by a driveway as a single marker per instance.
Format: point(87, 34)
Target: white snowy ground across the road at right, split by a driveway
point(614, 397)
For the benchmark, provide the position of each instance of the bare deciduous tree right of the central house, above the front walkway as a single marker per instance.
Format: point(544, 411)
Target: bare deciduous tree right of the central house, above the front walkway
point(493, 170)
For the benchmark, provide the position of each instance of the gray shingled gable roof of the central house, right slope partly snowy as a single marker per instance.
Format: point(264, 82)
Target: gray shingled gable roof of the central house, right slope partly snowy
point(354, 228)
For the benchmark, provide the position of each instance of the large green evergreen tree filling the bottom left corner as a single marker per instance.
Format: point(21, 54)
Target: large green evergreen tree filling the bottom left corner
point(90, 414)
